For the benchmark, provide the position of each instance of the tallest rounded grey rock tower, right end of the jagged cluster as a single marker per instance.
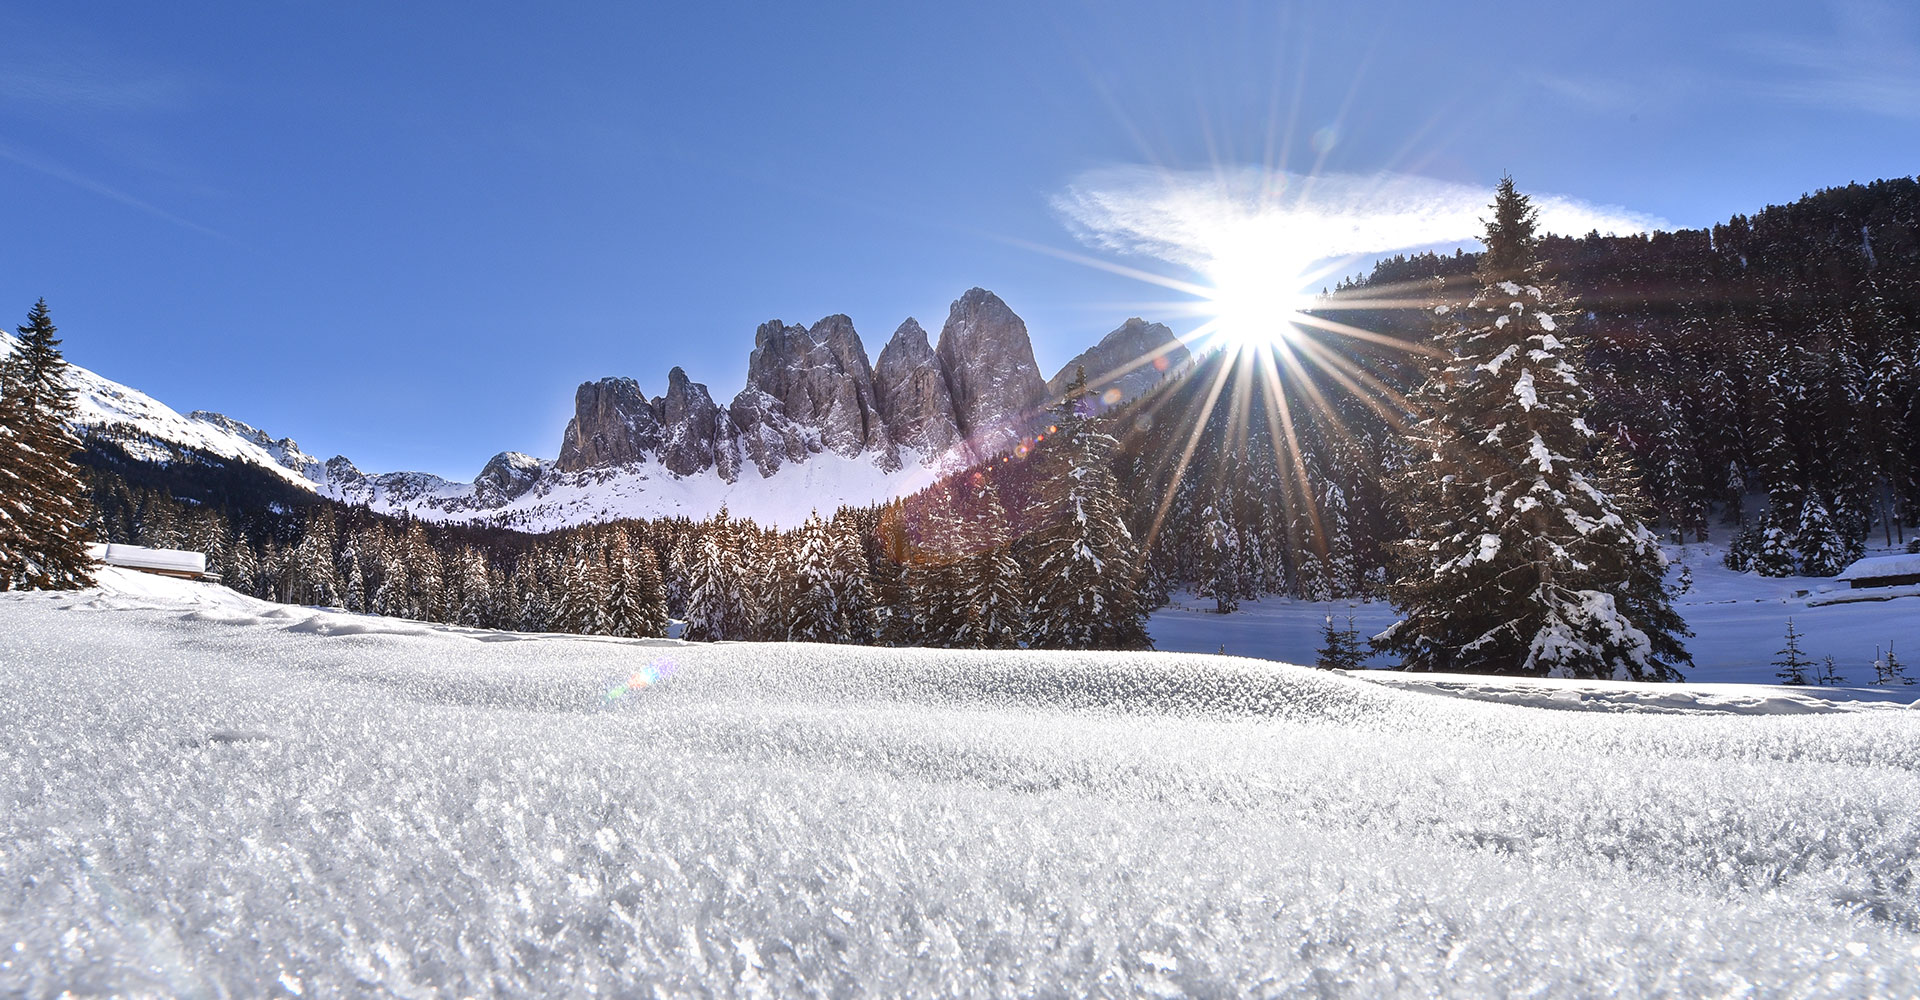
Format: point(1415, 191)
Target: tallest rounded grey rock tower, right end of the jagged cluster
point(992, 377)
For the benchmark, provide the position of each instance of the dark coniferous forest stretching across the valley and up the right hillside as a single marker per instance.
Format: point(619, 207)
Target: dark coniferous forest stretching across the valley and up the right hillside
point(1760, 379)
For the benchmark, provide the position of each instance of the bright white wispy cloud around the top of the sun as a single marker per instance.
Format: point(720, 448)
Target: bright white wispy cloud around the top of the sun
point(1201, 218)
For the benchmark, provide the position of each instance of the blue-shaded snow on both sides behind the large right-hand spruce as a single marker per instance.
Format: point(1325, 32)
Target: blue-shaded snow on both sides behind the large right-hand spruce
point(1739, 623)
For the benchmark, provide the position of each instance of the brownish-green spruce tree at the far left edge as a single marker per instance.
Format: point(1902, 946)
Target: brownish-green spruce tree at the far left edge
point(45, 512)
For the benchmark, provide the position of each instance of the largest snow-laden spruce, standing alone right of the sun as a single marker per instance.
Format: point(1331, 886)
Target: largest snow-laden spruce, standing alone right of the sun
point(1524, 554)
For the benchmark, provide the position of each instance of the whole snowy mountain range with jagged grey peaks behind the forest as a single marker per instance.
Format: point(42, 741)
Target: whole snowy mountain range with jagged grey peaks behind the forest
point(817, 425)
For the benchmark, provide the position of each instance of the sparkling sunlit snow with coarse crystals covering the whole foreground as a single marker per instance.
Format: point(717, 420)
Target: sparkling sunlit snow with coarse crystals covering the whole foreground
point(206, 796)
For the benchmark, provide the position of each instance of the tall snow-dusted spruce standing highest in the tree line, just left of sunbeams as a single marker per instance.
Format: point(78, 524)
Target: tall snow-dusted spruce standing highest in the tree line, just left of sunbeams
point(1084, 558)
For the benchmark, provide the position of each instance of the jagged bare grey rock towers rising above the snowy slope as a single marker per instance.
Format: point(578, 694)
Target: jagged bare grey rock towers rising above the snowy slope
point(813, 391)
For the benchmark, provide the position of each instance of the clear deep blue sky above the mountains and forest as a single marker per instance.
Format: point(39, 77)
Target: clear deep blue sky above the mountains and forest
point(408, 231)
